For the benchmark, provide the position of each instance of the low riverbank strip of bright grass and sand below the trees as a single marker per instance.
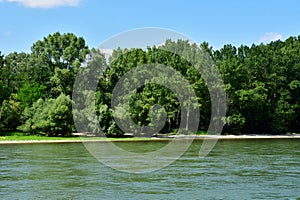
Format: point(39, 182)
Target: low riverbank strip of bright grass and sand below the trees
point(41, 140)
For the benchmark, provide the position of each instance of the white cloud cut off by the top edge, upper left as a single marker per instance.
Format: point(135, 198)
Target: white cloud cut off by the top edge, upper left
point(46, 3)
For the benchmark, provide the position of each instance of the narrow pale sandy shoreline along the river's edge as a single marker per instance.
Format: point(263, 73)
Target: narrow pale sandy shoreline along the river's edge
point(140, 139)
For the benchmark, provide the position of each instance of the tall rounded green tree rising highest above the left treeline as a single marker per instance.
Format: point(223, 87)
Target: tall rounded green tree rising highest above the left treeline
point(56, 60)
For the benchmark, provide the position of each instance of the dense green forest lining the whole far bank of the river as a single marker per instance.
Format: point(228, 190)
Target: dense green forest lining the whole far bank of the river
point(262, 85)
